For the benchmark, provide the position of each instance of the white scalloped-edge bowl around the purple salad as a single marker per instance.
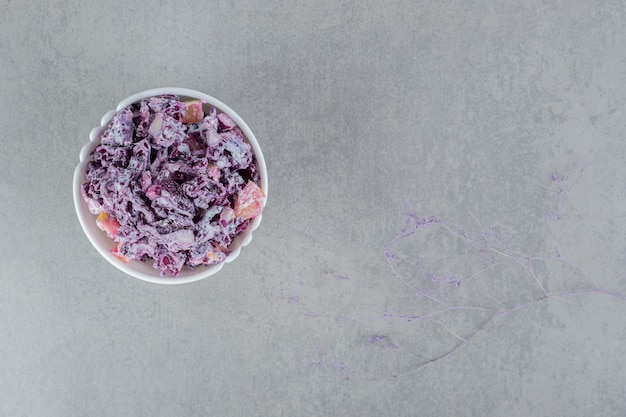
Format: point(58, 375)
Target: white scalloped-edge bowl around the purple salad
point(104, 244)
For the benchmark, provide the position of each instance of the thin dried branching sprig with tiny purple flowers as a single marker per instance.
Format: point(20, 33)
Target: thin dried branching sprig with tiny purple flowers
point(488, 254)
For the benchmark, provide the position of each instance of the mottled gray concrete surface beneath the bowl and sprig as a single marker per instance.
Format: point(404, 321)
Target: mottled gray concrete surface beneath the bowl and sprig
point(456, 109)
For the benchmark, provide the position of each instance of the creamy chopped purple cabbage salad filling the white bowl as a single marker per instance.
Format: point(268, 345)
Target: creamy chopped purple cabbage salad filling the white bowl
point(172, 184)
